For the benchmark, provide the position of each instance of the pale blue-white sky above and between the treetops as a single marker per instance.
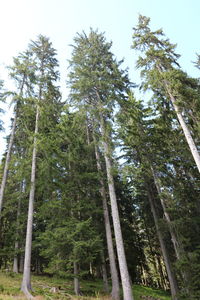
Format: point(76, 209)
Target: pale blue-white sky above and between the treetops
point(60, 20)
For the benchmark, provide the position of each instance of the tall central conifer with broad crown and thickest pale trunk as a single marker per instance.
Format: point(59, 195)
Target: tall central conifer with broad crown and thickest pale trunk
point(96, 81)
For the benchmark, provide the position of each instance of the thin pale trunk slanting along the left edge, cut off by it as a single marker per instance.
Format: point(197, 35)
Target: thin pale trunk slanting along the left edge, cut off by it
point(8, 156)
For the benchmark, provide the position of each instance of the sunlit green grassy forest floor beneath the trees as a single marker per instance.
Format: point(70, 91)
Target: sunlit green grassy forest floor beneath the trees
point(46, 288)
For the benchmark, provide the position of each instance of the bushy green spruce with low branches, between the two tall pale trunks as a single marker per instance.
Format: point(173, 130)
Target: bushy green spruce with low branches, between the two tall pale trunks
point(71, 240)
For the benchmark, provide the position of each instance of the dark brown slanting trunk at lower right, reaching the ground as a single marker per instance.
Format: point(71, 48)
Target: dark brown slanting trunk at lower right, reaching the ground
point(170, 273)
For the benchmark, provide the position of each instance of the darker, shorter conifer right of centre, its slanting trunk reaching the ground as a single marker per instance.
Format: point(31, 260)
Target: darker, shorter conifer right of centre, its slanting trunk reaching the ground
point(132, 123)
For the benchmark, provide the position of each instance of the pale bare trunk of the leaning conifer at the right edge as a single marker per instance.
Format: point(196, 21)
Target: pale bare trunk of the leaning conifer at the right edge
point(184, 127)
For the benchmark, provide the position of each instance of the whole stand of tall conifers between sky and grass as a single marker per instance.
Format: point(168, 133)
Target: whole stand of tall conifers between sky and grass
point(102, 186)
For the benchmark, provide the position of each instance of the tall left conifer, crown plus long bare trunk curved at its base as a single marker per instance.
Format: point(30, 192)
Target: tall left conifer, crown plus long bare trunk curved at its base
point(43, 55)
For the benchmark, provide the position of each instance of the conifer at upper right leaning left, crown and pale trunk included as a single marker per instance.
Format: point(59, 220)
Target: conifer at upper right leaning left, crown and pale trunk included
point(159, 69)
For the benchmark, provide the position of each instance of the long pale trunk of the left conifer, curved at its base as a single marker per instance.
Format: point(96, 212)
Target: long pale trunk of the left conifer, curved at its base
point(26, 282)
